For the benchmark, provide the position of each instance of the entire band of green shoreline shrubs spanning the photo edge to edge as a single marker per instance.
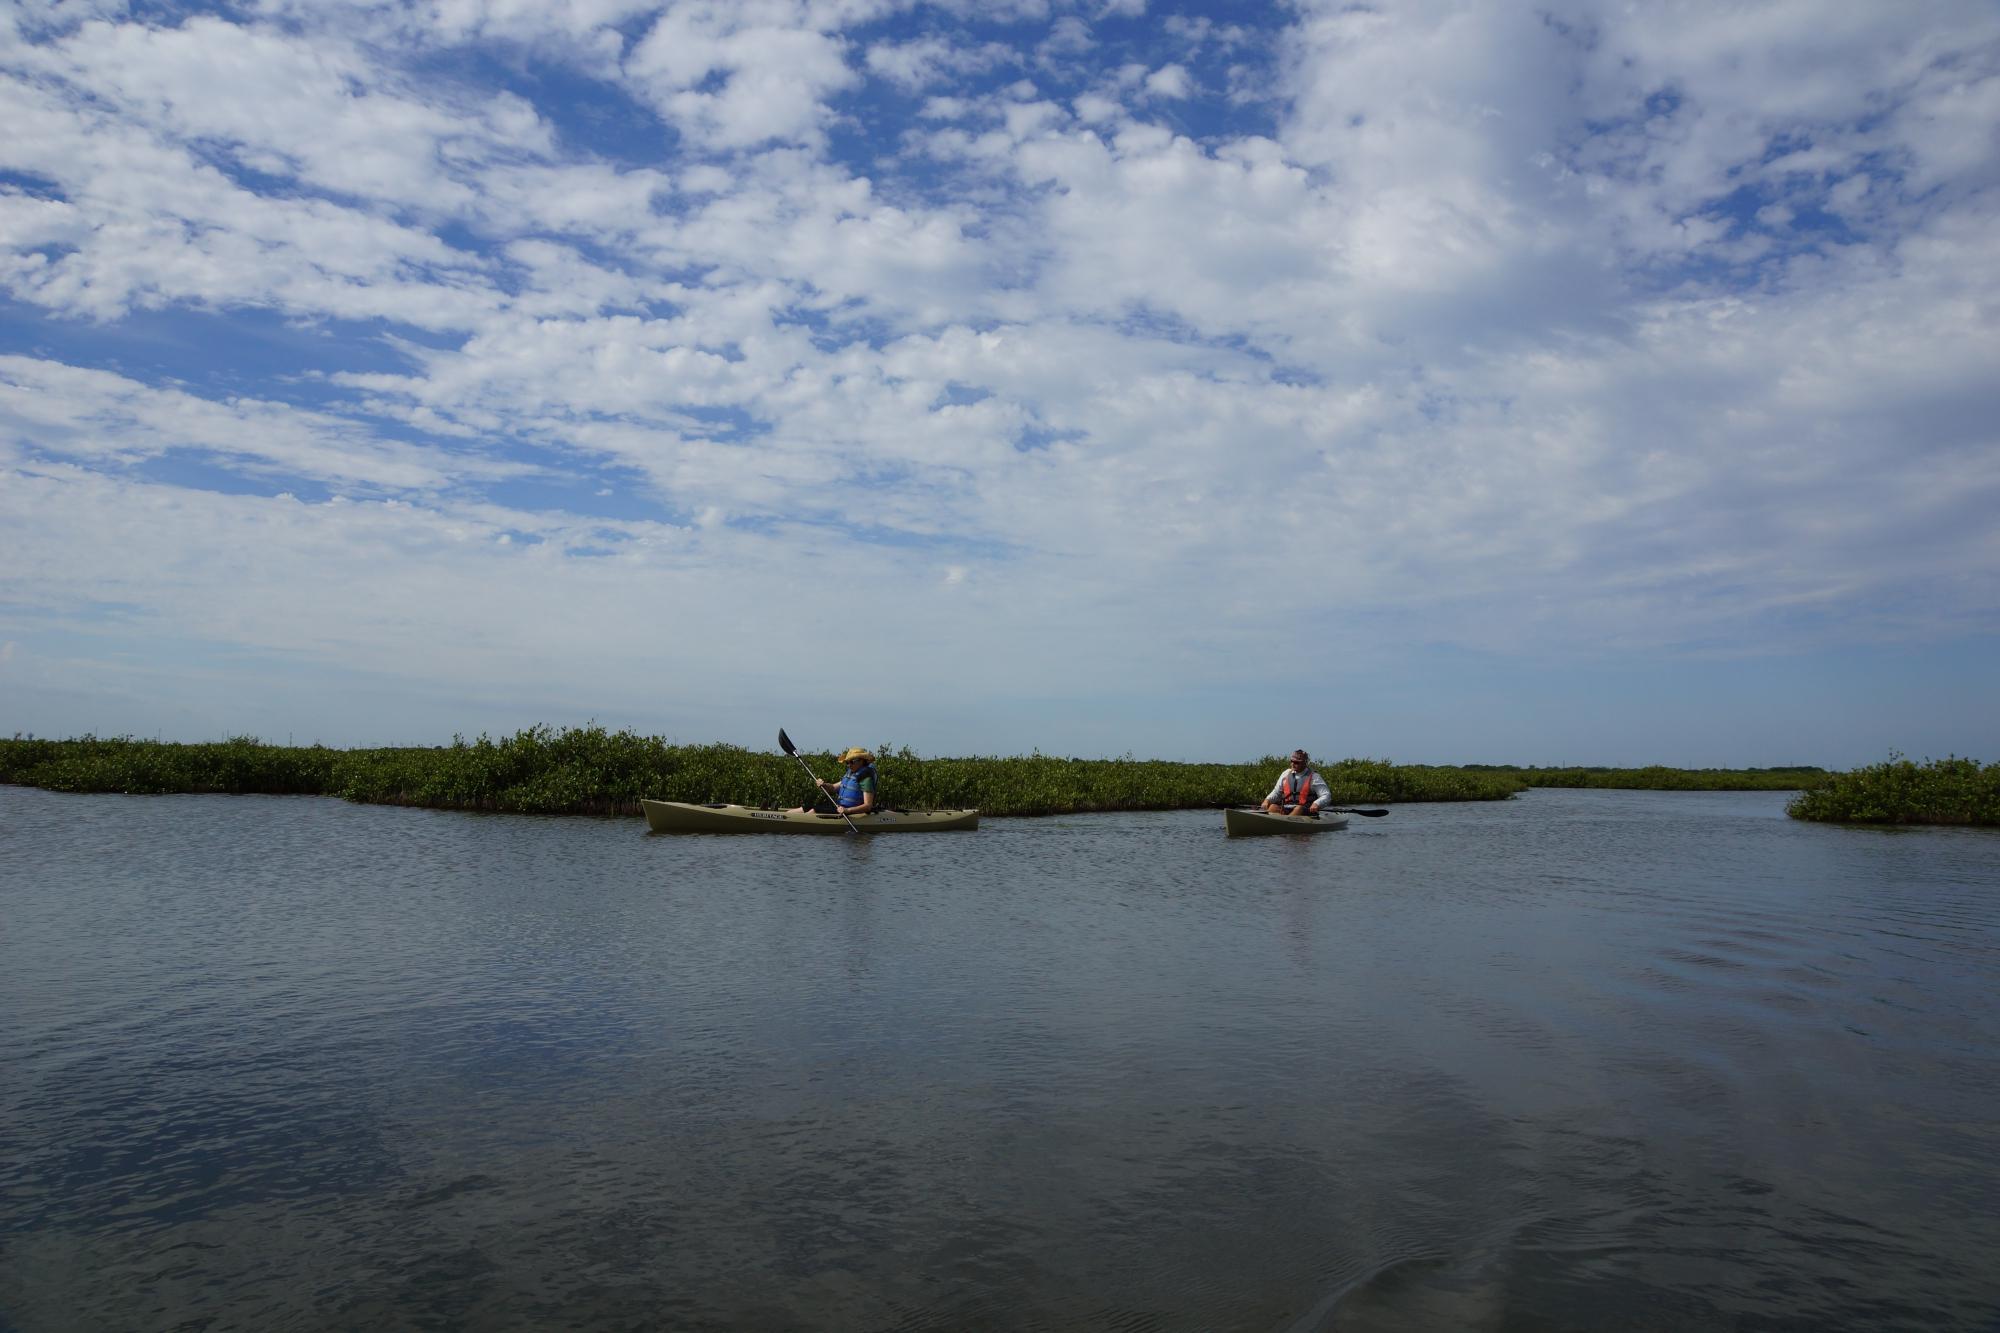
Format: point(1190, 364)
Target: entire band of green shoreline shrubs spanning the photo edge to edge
point(597, 772)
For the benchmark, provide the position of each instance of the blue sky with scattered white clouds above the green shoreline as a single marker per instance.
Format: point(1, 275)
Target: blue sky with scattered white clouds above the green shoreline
point(1425, 381)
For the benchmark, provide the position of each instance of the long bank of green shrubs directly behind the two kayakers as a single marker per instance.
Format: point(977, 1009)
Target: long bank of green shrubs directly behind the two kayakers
point(593, 772)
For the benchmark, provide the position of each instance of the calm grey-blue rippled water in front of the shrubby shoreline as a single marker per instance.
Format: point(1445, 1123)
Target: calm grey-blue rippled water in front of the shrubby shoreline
point(1573, 1062)
